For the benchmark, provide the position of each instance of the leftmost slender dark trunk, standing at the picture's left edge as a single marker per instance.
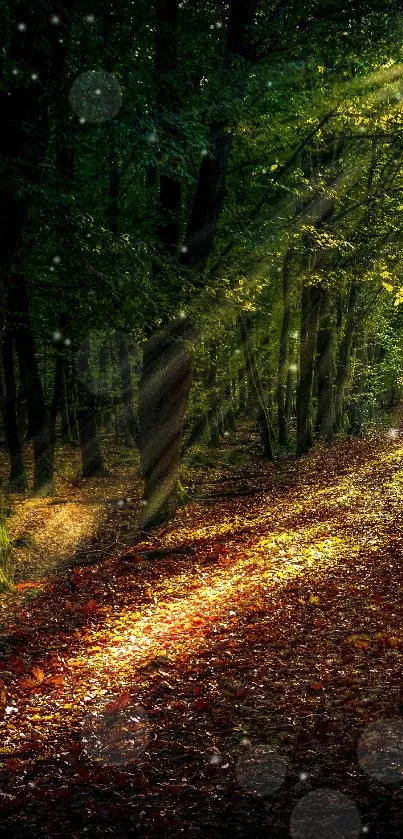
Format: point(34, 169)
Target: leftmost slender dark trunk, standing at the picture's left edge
point(17, 480)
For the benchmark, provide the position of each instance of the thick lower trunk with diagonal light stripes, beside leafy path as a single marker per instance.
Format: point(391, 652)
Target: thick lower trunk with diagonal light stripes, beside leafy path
point(163, 397)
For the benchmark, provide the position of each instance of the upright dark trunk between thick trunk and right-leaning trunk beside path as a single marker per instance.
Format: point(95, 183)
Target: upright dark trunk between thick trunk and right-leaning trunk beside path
point(325, 364)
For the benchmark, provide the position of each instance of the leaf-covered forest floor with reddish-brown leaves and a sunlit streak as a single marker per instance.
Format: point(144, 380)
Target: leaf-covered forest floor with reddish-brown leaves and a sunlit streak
point(217, 679)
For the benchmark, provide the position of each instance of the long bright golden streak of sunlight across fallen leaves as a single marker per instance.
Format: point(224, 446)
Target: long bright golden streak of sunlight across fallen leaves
point(246, 577)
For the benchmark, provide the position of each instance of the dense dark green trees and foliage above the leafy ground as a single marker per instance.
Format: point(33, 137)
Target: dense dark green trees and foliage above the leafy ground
point(200, 219)
